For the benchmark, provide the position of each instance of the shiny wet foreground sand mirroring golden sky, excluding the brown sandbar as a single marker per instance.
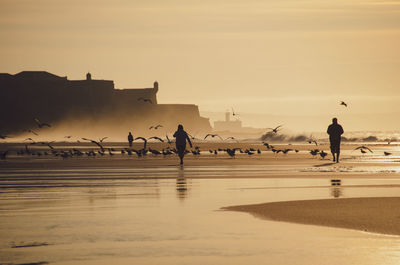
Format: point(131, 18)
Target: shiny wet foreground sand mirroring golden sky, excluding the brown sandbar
point(142, 220)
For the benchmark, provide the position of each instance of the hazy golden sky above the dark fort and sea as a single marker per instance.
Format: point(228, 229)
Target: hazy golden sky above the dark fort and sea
point(259, 56)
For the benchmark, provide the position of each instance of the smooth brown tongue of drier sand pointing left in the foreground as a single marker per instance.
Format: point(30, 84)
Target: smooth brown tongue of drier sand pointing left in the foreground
point(378, 215)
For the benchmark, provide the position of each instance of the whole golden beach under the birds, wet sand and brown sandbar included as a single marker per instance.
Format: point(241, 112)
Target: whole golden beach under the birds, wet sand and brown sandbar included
point(150, 210)
